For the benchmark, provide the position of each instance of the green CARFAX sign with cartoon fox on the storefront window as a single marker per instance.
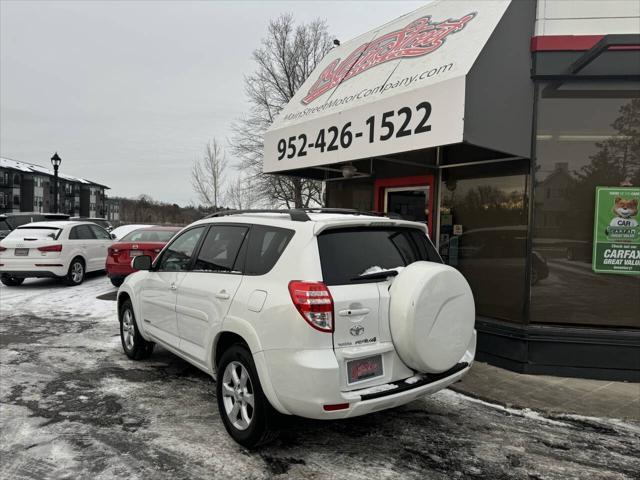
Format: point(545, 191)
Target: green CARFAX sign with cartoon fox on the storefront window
point(616, 235)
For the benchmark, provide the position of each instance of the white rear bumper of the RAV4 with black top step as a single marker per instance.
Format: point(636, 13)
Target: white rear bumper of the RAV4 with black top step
point(305, 381)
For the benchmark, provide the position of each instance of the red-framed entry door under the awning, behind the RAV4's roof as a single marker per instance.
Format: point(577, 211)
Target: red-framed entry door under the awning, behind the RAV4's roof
point(411, 198)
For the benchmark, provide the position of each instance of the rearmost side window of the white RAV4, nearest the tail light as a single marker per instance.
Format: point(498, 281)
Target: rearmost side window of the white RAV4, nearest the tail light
point(266, 244)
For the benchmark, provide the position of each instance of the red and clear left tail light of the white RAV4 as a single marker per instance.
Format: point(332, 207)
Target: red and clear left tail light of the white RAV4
point(314, 302)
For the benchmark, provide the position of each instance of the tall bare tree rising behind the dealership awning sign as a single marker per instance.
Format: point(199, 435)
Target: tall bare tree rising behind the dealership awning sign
point(286, 58)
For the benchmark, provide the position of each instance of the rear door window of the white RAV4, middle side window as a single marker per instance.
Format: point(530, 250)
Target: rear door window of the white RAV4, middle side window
point(220, 248)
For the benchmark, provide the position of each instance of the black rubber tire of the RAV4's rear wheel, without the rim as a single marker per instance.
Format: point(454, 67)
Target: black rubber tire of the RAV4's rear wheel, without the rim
point(261, 428)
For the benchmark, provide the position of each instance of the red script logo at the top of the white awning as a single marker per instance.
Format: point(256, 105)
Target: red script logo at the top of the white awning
point(420, 37)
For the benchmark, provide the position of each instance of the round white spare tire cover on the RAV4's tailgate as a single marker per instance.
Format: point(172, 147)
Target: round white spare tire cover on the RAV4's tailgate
point(431, 316)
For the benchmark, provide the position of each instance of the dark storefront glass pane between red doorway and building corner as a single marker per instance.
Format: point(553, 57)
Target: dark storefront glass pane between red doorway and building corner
point(483, 233)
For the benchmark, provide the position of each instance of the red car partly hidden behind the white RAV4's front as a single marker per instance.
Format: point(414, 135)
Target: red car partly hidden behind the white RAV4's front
point(144, 241)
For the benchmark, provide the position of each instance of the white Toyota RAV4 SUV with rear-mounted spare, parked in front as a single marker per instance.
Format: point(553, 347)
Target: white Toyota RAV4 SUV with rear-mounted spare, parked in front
point(321, 314)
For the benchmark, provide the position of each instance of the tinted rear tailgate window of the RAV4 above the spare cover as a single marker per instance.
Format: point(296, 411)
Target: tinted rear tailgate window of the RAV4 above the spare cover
point(346, 254)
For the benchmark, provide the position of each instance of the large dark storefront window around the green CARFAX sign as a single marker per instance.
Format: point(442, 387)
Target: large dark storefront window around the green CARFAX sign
point(583, 141)
